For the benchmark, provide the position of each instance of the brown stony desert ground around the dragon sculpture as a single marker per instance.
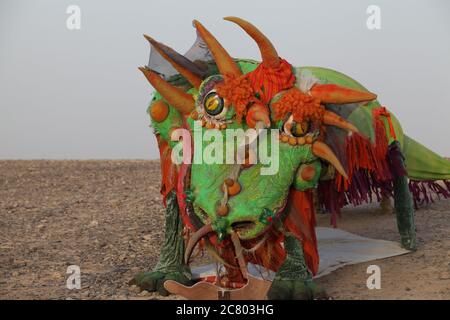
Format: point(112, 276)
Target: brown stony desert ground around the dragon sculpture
point(107, 218)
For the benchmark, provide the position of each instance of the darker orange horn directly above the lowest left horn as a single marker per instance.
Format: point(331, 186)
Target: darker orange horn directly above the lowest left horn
point(182, 64)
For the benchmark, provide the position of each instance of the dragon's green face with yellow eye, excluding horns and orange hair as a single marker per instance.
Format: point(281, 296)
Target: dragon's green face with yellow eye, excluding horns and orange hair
point(239, 197)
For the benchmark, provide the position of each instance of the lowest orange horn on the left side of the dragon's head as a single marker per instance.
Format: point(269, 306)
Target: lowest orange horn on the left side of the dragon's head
point(176, 97)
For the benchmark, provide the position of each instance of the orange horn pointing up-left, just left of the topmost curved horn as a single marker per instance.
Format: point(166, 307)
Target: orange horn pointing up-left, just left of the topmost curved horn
point(223, 60)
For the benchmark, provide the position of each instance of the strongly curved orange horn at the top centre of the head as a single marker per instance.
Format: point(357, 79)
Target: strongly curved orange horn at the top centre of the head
point(268, 53)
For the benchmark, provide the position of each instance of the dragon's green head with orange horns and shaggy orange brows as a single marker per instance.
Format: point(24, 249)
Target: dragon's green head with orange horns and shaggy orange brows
point(233, 197)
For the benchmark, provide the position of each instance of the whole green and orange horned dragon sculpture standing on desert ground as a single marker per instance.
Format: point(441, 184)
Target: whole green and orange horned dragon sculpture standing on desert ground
point(335, 141)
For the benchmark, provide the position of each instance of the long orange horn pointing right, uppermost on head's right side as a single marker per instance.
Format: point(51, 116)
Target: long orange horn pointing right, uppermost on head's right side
point(332, 93)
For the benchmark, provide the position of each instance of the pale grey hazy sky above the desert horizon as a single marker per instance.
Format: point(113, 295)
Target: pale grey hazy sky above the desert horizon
point(78, 93)
